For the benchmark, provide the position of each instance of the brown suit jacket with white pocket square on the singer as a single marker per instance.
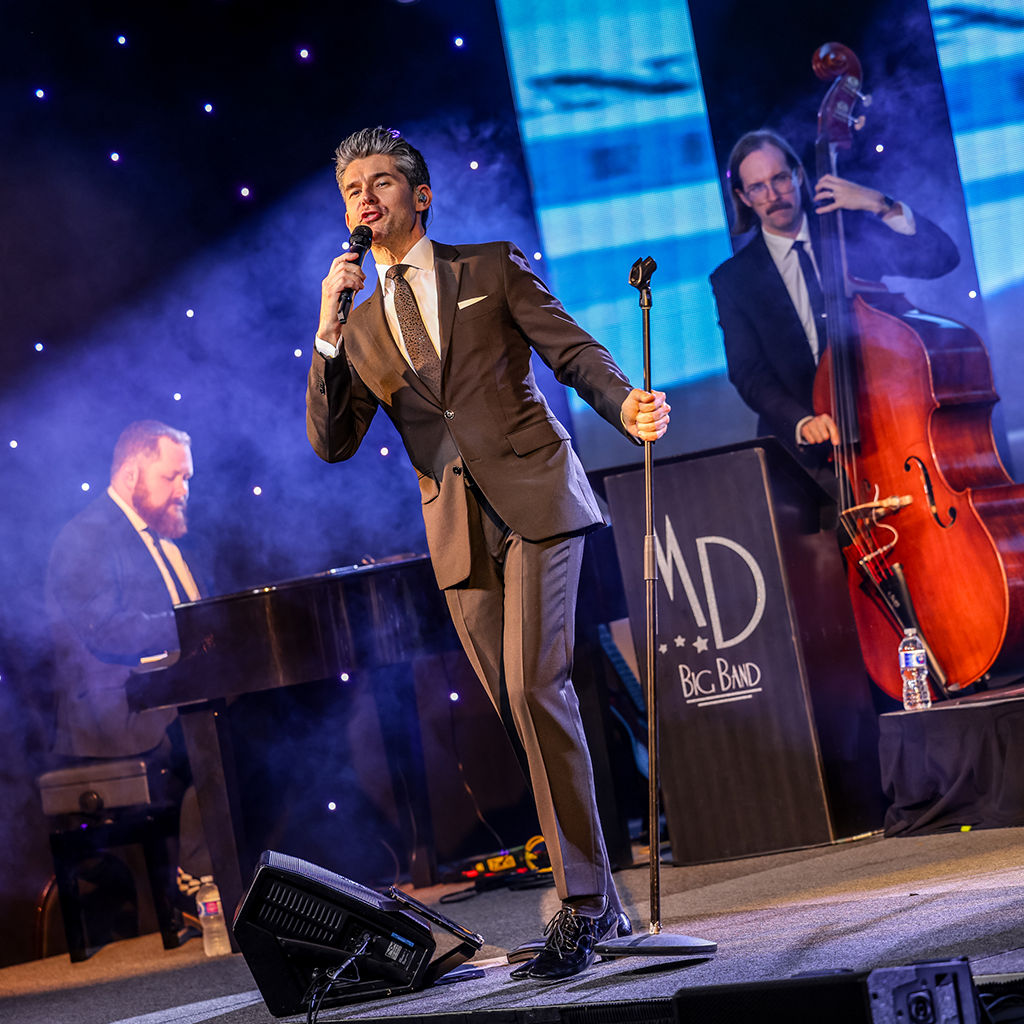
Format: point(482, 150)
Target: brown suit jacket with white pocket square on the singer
point(493, 421)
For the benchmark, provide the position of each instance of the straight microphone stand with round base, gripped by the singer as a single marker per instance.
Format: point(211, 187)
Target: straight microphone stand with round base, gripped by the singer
point(656, 943)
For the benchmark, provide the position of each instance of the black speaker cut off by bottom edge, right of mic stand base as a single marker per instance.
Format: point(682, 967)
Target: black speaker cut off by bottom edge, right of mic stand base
point(922, 994)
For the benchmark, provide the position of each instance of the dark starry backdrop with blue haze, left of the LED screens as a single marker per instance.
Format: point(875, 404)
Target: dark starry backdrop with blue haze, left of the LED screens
point(182, 282)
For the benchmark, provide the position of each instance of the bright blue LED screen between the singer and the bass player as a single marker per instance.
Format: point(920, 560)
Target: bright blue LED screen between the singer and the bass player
point(615, 131)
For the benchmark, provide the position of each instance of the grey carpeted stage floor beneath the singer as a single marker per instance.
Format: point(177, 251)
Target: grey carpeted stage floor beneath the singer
point(875, 903)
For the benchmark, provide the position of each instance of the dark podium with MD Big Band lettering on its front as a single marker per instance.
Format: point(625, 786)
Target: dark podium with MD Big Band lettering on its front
point(769, 738)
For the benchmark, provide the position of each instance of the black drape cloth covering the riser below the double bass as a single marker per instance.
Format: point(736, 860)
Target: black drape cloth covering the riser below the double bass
point(954, 765)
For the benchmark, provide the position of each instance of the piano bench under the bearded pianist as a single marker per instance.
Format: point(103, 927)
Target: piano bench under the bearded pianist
point(99, 807)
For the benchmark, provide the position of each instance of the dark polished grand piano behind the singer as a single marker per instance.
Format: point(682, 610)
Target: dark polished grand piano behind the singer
point(377, 621)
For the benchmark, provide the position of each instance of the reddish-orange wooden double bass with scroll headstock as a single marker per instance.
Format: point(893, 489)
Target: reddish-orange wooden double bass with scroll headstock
point(931, 524)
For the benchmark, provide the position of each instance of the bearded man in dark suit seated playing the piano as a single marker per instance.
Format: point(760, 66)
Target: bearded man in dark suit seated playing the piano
point(114, 576)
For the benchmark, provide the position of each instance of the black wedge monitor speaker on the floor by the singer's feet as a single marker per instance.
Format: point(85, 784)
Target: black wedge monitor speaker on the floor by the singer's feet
point(309, 934)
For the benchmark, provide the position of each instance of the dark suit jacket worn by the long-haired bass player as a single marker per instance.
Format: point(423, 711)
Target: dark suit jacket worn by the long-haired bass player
point(771, 362)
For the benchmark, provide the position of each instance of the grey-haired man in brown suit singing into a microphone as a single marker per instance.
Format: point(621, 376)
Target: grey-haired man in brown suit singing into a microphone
point(444, 346)
